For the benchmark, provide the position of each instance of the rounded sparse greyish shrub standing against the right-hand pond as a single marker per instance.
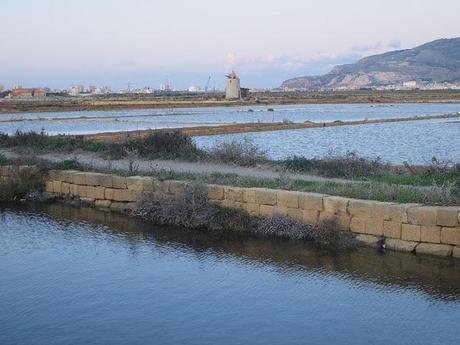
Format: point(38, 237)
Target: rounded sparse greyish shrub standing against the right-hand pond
point(244, 153)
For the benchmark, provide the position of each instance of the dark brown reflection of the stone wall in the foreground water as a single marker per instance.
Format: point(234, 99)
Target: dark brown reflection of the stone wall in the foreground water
point(438, 278)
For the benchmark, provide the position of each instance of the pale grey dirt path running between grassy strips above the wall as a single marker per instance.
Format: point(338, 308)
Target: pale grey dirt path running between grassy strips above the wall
point(96, 161)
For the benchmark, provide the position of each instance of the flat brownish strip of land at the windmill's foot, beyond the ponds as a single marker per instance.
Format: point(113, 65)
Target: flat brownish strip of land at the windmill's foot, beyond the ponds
point(187, 100)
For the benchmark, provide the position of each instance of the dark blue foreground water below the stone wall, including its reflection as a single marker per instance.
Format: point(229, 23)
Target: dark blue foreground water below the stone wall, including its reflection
point(79, 276)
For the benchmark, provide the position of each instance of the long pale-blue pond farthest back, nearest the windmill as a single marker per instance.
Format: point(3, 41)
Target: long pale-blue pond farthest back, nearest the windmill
point(124, 120)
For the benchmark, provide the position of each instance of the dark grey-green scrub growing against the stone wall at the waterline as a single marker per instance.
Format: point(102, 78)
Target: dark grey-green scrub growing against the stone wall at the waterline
point(192, 209)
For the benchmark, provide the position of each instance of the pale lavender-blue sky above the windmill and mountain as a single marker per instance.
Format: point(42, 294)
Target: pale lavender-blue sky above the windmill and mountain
point(57, 43)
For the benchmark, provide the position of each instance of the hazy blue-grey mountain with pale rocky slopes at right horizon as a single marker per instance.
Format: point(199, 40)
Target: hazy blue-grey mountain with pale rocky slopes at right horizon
point(437, 61)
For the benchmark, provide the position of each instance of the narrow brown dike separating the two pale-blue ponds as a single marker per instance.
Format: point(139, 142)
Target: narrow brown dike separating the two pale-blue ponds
point(259, 127)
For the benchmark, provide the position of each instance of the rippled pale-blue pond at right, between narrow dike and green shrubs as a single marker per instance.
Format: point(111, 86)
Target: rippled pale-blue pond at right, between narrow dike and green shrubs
point(415, 141)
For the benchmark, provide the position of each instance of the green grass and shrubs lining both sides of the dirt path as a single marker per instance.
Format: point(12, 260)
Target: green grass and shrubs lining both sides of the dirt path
point(437, 183)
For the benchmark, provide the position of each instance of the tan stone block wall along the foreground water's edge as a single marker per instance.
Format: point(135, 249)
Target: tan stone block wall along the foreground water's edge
point(406, 227)
